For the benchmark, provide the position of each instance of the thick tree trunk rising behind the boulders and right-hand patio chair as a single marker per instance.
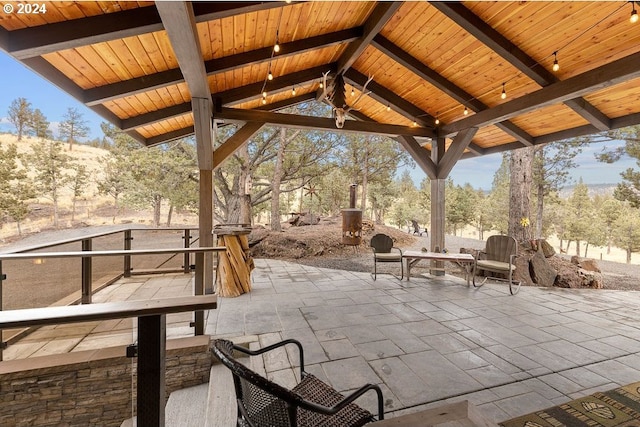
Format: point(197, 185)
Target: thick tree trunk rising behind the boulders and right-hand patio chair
point(519, 193)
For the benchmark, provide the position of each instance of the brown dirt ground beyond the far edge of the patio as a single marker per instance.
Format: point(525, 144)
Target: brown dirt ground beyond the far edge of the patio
point(321, 246)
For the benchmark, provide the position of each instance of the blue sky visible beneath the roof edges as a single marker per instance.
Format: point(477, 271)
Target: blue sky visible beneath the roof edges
point(18, 81)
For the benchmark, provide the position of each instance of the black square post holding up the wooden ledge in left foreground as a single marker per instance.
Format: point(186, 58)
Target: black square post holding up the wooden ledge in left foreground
point(152, 345)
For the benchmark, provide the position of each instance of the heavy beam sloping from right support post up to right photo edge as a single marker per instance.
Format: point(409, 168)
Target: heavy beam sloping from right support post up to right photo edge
point(610, 74)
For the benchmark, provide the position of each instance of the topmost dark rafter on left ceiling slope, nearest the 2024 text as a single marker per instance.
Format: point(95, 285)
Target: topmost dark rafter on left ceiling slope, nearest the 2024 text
point(43, 39)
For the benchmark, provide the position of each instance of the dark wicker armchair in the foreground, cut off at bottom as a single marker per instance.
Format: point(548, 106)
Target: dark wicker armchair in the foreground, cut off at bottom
point(311, 403)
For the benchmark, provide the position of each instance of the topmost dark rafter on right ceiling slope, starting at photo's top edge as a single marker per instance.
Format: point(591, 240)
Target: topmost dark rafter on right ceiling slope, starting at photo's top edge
point(517, 57)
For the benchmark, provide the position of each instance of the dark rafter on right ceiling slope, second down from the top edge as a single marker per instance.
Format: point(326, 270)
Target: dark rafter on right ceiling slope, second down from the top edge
point(446, 86)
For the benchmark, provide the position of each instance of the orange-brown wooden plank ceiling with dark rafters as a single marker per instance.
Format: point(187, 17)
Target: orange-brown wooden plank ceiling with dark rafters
point(428, 60)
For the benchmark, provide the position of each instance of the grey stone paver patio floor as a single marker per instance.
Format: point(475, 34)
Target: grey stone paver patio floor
point(426, 342)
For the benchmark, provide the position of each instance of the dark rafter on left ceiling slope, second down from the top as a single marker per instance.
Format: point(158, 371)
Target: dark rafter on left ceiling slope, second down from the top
point(166, 78)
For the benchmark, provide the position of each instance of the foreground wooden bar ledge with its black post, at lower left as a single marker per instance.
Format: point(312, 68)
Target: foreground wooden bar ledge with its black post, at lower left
point(152, 338)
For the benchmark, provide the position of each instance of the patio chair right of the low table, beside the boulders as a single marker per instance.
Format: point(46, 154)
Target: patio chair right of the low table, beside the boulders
point(498, 257)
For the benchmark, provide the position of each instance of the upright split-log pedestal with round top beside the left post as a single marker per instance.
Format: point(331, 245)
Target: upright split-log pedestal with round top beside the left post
point(235, 264)
